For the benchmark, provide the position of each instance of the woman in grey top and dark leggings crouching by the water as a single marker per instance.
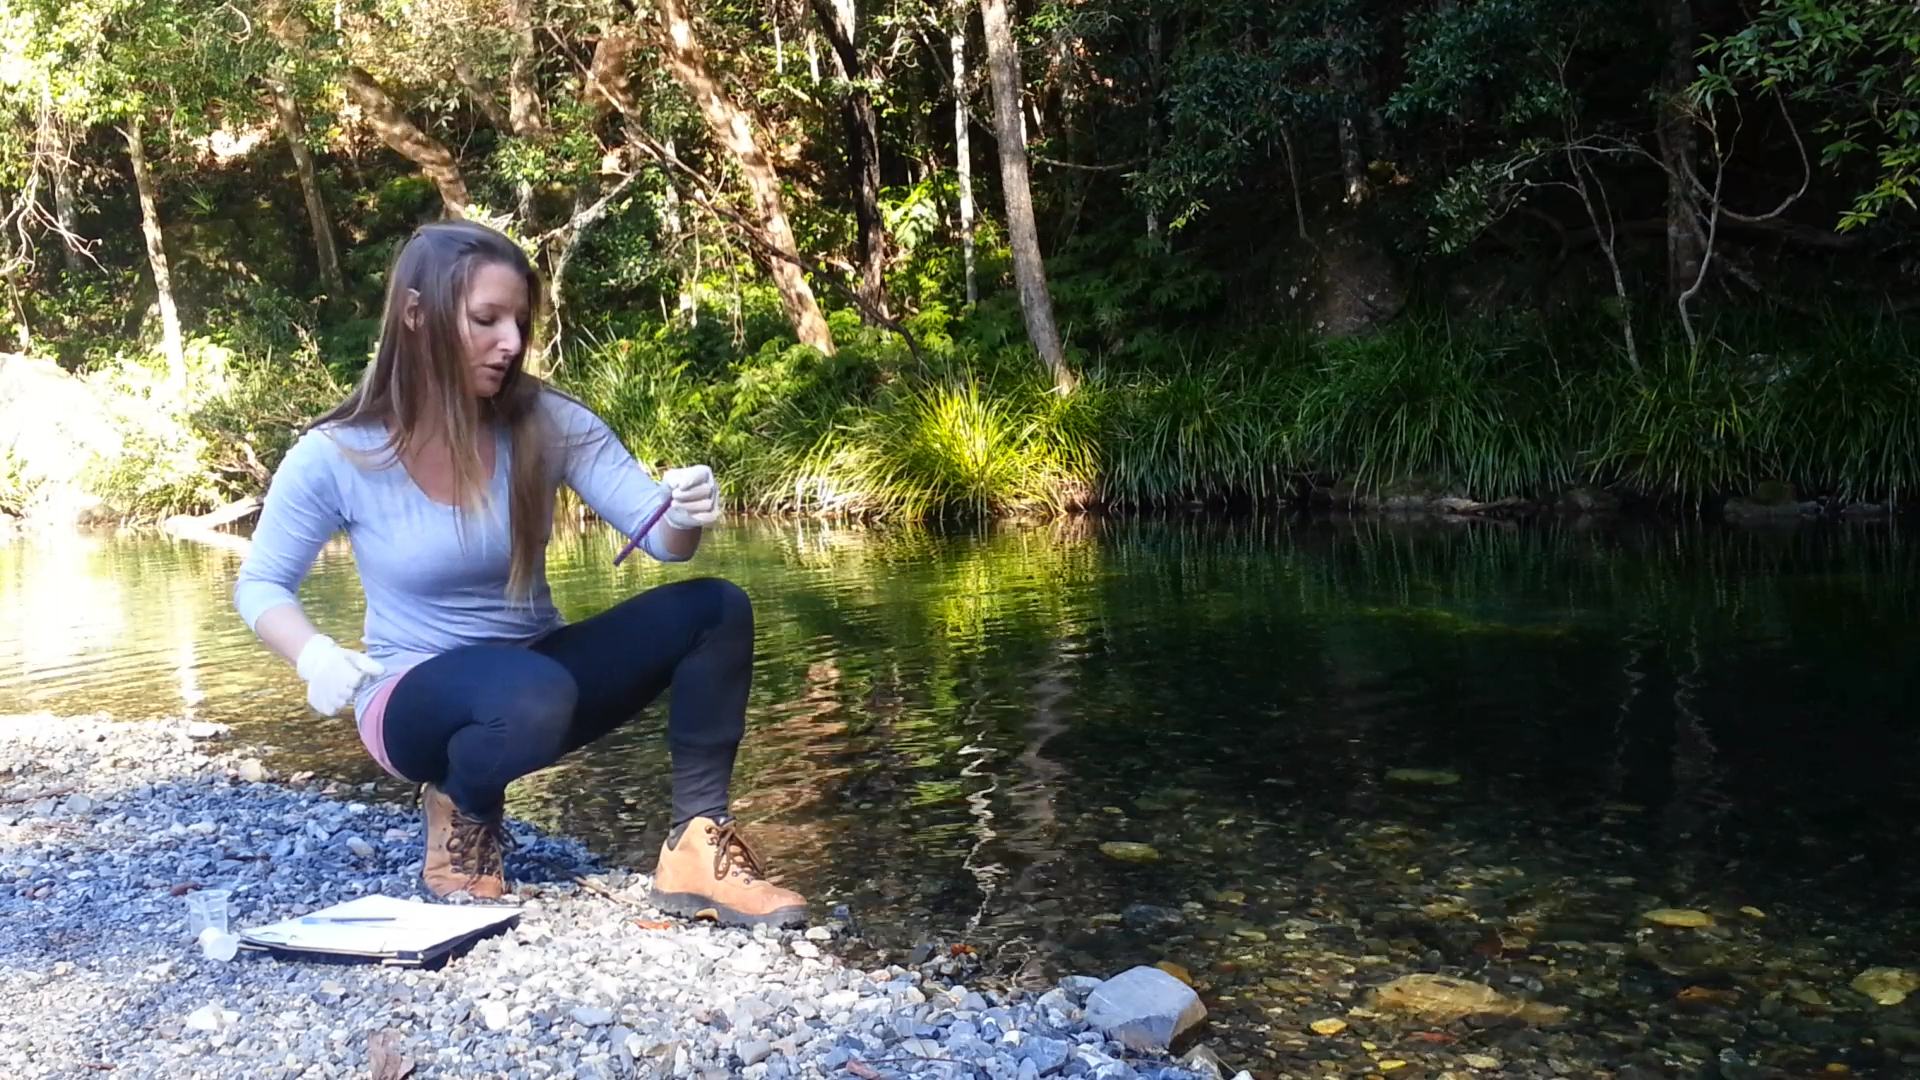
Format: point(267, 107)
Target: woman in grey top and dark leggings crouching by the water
point(443, 470)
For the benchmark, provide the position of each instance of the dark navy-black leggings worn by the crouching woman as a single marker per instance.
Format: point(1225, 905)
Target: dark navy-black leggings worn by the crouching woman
point(477, 718)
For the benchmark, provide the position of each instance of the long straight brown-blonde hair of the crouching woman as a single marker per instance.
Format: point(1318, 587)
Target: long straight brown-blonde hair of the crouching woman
point(418, 381)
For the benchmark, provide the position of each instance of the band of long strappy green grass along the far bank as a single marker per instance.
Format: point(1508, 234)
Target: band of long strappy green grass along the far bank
point(1426, 406)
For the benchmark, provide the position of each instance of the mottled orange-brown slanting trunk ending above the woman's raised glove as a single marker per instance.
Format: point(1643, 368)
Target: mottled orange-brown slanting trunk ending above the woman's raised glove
point(731, 128)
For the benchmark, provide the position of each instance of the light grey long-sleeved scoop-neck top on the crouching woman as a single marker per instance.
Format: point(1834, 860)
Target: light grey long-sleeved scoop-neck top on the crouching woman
point(435, 577)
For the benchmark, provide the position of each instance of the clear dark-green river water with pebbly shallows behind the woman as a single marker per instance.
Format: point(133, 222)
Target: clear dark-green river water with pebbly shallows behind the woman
point(946, 729)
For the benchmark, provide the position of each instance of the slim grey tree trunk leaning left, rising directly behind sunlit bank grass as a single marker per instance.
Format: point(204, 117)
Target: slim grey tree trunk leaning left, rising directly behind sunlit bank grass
point(1030, 274)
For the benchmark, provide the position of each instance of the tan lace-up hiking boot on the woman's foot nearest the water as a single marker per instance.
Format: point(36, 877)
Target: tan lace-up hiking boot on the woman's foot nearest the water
point(715, 875)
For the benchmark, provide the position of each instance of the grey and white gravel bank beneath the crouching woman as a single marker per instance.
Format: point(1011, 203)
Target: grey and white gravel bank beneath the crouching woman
point(107, 827)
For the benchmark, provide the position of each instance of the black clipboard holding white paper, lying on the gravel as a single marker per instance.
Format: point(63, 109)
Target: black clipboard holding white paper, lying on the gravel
point(396, 933)
